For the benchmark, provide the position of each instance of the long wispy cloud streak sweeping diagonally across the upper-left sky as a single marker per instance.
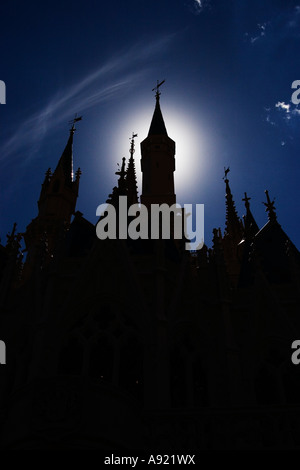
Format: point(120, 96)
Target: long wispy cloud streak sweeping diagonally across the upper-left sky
point(104, 83)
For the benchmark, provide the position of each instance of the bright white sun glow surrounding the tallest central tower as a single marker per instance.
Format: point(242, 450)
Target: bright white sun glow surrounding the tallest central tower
point(190, 157)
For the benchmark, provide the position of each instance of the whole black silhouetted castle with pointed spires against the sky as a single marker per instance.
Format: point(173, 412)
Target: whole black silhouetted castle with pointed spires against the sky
point(123, 344)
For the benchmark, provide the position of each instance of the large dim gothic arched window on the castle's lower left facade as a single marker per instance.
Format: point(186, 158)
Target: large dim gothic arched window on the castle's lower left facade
point(105, 346)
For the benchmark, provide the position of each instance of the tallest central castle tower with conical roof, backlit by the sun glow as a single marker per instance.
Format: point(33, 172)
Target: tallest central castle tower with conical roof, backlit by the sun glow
point(158, 161)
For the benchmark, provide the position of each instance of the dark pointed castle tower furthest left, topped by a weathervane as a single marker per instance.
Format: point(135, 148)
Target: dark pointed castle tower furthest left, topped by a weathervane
point(56, 205)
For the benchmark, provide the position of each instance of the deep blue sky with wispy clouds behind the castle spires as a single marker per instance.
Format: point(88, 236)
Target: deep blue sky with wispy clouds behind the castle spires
point(228, 66)
